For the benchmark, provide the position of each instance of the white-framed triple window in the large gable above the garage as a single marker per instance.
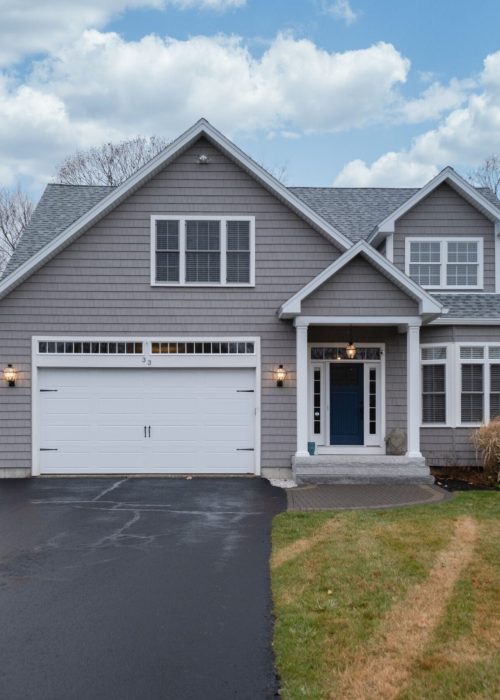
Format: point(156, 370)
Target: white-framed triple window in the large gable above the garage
point(203, 251)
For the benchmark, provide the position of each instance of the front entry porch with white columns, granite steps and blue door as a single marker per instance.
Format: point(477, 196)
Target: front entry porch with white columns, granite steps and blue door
point(358, 411)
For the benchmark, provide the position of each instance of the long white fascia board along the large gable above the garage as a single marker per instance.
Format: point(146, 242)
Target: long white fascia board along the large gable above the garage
point(201, 128)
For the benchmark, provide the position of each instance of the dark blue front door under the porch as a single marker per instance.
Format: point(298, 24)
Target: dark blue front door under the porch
point(346, 404)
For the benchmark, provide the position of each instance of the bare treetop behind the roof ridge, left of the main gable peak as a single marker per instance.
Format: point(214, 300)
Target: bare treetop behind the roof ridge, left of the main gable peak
point(110, 163)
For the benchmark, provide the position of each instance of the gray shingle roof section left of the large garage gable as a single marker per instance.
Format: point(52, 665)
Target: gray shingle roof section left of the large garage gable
point(58, 208)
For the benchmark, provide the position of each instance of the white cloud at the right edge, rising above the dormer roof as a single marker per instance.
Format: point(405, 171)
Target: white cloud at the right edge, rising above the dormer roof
point(463, 138)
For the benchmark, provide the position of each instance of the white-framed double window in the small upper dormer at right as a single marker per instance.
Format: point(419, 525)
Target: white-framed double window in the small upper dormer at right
point(446, 263)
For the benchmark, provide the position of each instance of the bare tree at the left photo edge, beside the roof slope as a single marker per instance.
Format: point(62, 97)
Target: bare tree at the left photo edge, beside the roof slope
point(16, 209)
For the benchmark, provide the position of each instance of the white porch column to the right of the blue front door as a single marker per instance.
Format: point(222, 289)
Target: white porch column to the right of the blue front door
point(413, 390)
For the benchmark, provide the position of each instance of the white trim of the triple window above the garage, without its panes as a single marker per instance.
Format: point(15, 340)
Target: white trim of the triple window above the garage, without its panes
point(182, 218)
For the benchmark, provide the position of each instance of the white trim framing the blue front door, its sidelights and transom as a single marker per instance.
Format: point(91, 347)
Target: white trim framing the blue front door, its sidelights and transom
point(373, 444)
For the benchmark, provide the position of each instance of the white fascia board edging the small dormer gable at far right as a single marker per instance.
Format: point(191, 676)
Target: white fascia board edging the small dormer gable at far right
point(457, 182)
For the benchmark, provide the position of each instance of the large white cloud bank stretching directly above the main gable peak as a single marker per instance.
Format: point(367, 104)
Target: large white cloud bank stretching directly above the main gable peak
point(102, 87)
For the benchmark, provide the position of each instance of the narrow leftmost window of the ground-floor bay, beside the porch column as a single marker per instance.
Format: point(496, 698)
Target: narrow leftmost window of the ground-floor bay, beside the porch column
point(434, 384)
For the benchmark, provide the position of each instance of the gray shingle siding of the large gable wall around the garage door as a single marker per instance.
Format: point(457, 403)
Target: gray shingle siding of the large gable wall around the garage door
point(100, 284)
